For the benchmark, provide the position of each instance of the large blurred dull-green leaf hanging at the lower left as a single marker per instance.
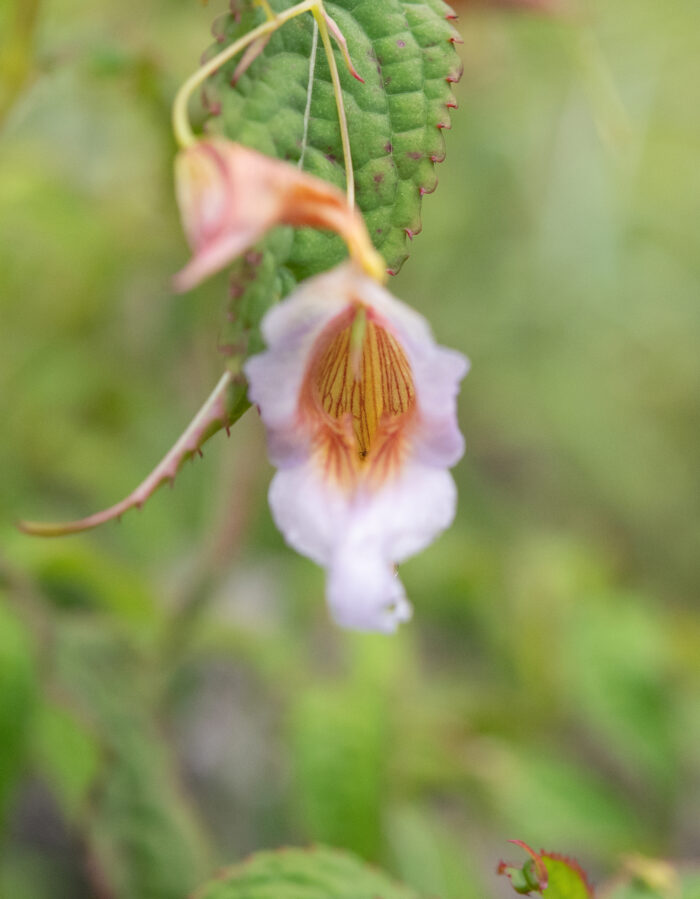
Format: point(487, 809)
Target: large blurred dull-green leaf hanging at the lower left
point(145, 838)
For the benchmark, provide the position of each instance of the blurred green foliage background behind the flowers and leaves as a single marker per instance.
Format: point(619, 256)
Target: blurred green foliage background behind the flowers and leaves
point(172, 694)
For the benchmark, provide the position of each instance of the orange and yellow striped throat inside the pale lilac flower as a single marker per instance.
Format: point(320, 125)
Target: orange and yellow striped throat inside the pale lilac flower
point(359, 394)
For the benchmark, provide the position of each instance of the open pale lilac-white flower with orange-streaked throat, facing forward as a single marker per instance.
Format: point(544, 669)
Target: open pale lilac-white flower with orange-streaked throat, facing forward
point(359, 403)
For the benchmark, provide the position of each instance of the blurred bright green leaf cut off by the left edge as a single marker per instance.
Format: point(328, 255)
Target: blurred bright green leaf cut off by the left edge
point(17, 699)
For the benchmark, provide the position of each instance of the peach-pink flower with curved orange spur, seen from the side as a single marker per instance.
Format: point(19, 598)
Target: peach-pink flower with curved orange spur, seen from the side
point(230, 196)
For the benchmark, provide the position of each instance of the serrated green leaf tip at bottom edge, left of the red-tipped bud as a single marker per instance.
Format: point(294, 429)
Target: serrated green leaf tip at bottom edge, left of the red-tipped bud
point(318, 873)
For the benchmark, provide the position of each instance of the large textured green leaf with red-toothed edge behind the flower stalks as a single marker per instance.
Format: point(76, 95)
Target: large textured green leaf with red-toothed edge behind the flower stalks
point(405, 53)
